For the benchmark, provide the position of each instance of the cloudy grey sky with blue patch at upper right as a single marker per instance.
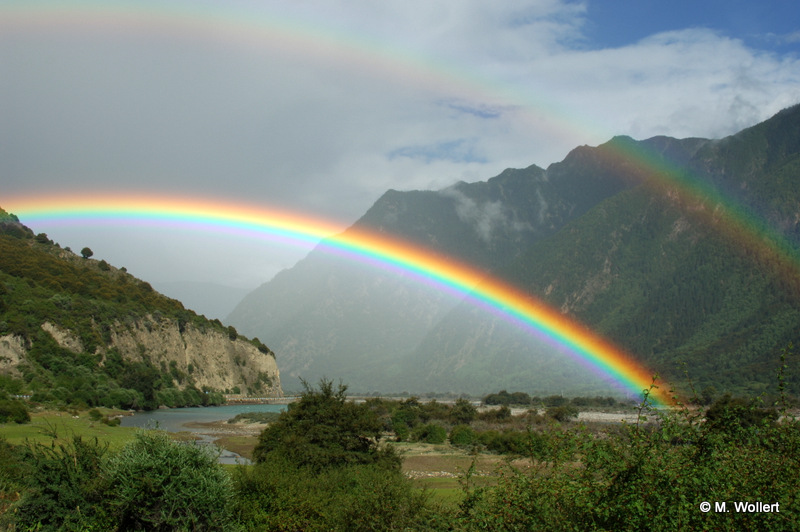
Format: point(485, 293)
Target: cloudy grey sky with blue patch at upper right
point(320, 106)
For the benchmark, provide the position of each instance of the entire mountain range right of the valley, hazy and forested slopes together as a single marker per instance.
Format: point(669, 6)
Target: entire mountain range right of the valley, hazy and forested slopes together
point(599, 236)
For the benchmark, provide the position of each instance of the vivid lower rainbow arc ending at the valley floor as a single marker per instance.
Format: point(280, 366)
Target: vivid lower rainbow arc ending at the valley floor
point(443, 272)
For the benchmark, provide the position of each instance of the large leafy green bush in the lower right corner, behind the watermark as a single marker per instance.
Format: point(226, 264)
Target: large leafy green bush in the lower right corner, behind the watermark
point(648, 474)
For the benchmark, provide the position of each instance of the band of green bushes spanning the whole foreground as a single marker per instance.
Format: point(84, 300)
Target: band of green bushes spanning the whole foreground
point(325, 465)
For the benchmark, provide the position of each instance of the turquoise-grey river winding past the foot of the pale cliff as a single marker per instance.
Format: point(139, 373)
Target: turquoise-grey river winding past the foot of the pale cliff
point(184, 420)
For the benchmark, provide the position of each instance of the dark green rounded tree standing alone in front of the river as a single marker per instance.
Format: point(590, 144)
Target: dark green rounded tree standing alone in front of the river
point(324, 429)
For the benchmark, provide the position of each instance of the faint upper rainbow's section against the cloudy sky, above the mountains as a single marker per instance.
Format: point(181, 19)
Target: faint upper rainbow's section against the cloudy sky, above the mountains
point(265, 28)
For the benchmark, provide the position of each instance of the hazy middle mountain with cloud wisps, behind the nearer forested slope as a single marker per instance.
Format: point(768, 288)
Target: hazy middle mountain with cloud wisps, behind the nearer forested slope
point(330, 316)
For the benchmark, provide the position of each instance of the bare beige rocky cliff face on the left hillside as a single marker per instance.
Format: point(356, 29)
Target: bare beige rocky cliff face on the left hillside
point(208, 358)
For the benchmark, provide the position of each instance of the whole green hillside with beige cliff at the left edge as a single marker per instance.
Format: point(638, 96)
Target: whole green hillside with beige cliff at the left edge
point(80, 331)
